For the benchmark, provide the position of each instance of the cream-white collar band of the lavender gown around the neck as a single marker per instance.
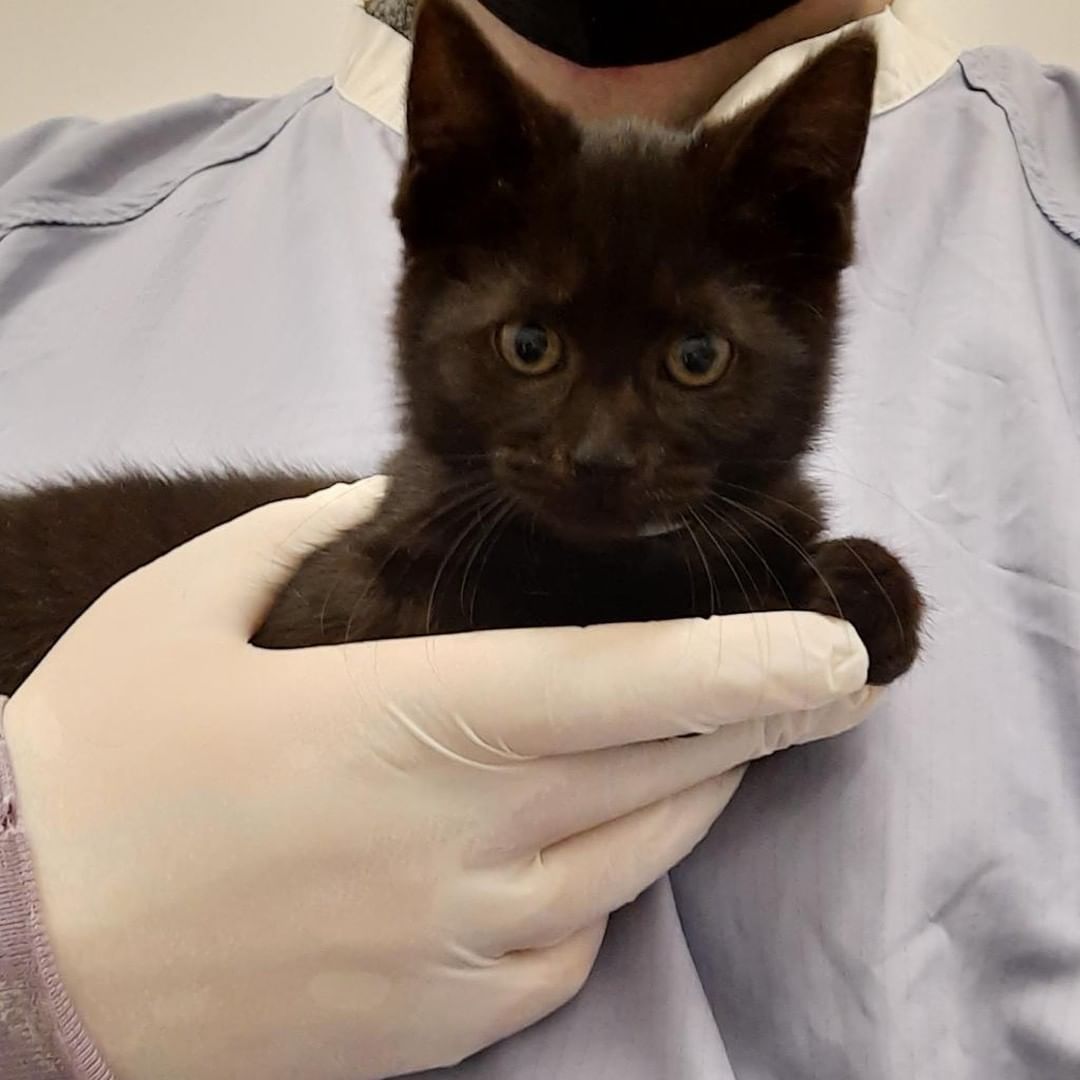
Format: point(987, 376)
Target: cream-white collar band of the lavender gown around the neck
point(913, 56)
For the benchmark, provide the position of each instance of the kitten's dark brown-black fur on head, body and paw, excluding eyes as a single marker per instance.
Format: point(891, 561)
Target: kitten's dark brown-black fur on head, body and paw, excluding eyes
point(520, 501)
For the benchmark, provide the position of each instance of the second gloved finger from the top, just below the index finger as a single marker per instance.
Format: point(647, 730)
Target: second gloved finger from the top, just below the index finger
point(562, 798)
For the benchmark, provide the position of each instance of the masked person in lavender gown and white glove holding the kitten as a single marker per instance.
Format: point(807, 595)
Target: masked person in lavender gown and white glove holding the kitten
point(229, 897)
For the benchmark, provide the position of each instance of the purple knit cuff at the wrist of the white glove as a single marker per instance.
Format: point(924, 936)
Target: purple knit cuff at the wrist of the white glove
point(42, 1037)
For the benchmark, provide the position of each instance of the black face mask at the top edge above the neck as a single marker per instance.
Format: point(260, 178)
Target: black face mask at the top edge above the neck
point(620, 34)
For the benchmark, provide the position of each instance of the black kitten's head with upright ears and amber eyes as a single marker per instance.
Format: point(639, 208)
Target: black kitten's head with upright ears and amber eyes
point(613, 321)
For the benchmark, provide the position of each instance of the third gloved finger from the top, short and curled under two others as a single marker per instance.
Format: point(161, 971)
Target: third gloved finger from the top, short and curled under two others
point(580, 881)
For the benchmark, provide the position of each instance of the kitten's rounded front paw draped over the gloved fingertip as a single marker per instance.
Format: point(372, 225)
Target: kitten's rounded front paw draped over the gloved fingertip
point(861, 582)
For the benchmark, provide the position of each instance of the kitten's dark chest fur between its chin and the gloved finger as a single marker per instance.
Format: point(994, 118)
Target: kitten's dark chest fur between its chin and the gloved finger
point(406, 575)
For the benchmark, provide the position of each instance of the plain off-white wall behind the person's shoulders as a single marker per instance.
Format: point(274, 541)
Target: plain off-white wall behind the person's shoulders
point(107, 58)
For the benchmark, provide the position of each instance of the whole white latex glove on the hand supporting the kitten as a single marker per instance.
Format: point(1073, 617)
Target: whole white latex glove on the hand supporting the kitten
point(364, 861)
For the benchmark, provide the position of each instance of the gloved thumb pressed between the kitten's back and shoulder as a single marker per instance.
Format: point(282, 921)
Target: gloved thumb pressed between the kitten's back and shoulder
point(233, 574)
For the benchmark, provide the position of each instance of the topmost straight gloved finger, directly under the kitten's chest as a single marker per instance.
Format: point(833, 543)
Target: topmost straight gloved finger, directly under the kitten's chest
point(564, 691)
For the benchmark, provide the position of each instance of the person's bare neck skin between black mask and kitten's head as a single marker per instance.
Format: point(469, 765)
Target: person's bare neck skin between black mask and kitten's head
point(679, 92)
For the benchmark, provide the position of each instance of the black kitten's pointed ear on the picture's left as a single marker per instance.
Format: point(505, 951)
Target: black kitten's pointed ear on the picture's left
point(476, 136)
